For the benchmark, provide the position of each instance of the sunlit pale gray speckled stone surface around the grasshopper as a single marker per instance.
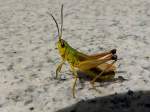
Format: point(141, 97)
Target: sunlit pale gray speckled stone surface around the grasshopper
point(28, 55)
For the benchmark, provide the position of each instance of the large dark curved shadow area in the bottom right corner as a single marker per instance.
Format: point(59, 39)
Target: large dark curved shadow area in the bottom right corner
point(138, 101)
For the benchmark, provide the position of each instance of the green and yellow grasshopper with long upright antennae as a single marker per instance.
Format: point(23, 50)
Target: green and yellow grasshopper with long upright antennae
point(97, 66)
